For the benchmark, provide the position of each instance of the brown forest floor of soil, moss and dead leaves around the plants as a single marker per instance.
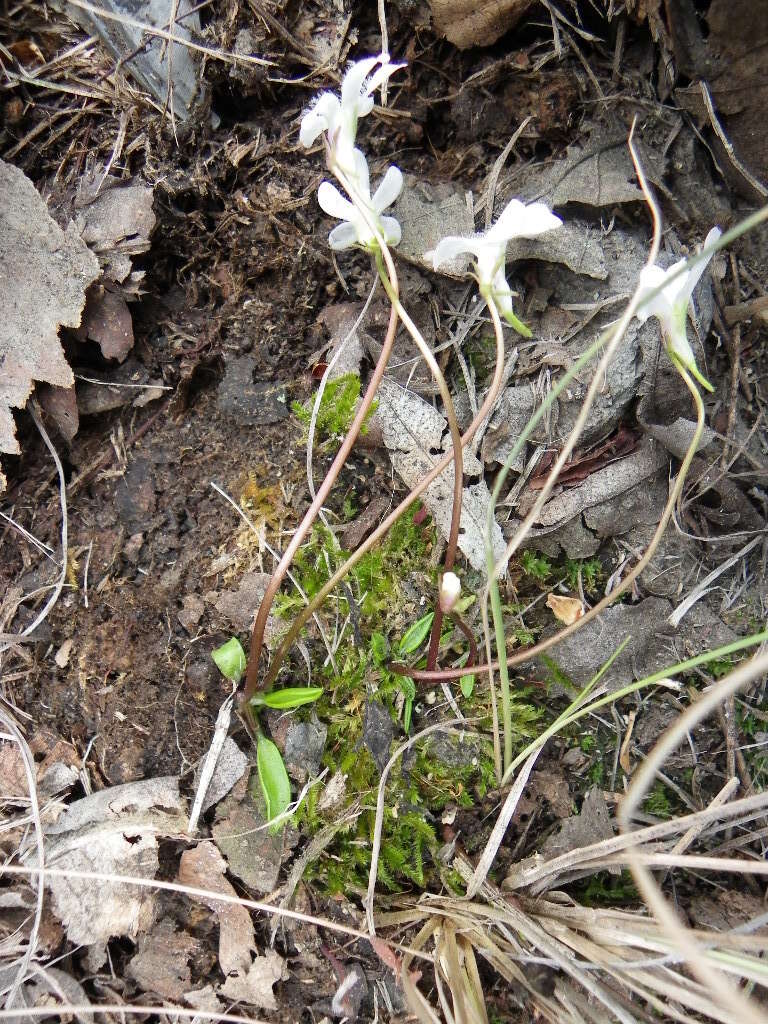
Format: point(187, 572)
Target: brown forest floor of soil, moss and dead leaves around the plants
point(233, 303)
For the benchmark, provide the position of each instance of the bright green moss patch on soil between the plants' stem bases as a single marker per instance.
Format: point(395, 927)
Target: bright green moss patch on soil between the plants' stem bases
point(379, 598)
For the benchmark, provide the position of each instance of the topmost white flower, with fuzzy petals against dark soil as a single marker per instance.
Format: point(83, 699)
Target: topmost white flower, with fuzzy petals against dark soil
point(338, 118)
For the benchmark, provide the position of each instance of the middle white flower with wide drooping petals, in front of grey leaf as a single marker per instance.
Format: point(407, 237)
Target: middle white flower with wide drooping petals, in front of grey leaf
point(490, 250)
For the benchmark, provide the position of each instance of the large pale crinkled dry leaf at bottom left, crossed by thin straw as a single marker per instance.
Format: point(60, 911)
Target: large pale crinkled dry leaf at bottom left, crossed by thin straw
point(115, 832)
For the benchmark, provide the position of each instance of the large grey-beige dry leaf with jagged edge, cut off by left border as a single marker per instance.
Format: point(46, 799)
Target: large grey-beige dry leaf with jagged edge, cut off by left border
point(44, 276)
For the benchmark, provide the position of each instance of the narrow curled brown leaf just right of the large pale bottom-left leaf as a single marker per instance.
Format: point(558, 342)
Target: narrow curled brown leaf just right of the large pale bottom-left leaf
point(204, 868)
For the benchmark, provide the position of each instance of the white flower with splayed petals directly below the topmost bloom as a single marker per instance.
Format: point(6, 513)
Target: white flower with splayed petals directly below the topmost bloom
point(354, 230)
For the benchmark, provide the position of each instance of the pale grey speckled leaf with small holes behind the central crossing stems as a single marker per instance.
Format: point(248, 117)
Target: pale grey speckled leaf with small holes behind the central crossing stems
point(413, 431)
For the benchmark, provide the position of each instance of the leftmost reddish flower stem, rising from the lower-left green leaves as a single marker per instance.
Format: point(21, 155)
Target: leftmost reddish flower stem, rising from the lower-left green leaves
point(258, 637)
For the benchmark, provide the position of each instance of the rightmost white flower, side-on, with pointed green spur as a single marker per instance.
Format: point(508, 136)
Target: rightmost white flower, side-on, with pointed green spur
point(671, 305)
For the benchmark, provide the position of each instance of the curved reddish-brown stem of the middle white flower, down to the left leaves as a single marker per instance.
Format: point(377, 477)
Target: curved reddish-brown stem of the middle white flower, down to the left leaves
point(394, 517)
